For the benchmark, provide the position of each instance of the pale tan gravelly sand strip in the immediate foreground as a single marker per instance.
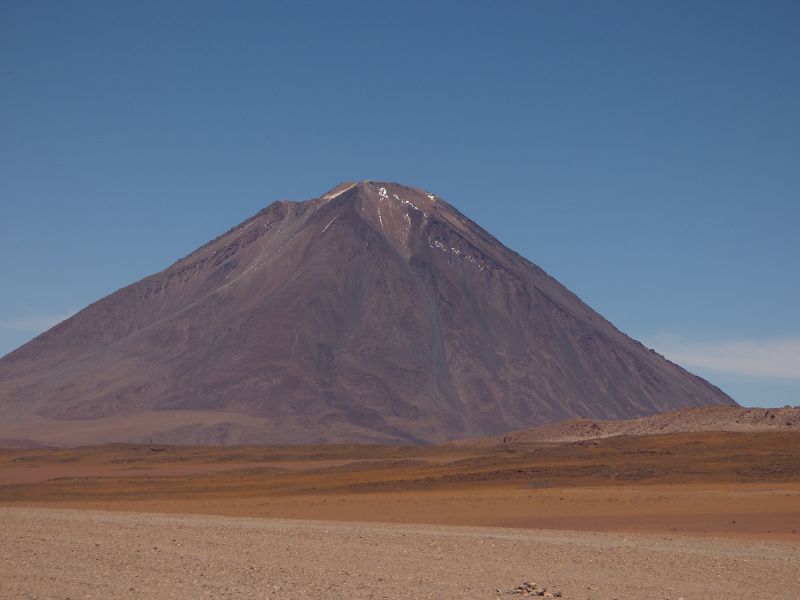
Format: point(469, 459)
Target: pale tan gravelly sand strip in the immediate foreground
point(61, 553)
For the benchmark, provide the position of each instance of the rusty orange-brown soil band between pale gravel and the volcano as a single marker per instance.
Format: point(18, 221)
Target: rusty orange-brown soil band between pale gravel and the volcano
point(729, 484)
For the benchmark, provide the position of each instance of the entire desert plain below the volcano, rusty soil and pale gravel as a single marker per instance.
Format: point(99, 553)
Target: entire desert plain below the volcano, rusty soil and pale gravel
point(681, 515)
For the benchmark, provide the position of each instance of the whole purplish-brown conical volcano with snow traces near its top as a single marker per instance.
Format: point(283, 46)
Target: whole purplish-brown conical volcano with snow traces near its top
point(376, 312)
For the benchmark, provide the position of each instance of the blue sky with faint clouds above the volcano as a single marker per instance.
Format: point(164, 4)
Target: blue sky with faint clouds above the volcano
point(646, 154)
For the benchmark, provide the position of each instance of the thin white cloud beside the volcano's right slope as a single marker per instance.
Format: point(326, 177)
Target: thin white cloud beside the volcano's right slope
point(773, 358)
